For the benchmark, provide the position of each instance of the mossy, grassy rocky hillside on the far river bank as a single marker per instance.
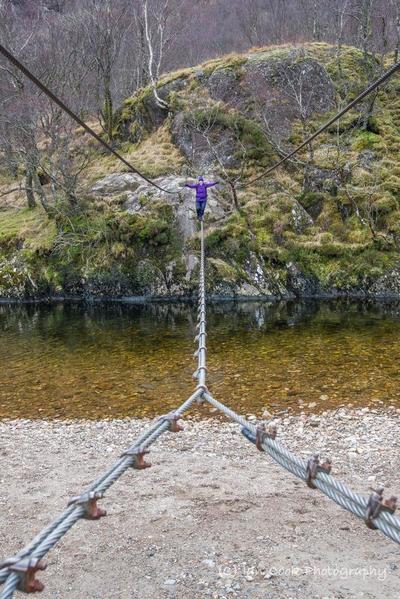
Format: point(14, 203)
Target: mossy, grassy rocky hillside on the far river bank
point(327, 223)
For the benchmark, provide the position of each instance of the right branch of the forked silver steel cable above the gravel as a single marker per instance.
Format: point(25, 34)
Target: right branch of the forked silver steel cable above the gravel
point(355, 503)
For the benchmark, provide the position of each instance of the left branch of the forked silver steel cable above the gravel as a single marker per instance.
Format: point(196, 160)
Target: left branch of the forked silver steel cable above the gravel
point(46, 539)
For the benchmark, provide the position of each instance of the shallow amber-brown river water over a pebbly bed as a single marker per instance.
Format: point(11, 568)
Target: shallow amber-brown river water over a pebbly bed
point(116, 360)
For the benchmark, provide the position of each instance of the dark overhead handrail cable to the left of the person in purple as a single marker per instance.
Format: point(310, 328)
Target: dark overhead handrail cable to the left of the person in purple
point(75, 117)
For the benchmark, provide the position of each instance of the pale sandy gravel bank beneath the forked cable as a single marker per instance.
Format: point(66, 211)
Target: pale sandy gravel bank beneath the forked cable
point(213, 517)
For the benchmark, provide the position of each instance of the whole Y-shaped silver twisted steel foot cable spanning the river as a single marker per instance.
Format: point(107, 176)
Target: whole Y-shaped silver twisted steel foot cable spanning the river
point(337, 491)
